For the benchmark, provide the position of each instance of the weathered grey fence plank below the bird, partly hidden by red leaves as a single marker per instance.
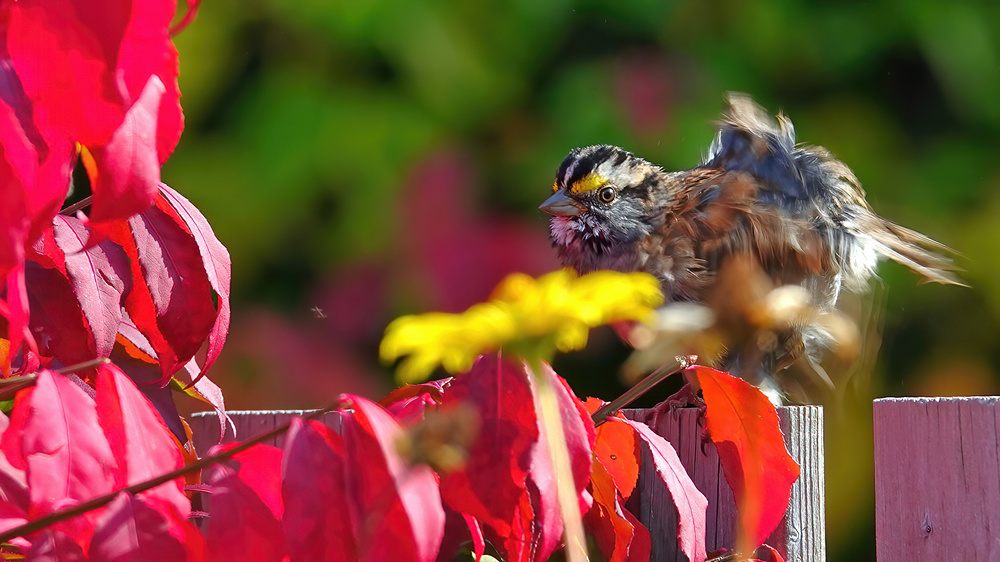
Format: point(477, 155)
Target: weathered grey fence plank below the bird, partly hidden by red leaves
point(801, 536)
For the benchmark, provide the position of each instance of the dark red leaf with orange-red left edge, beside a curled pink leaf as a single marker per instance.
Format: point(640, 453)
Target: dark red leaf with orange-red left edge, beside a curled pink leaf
point(171, 301)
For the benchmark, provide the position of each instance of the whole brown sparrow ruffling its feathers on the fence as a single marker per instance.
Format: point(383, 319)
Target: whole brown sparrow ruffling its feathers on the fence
point(761, 222)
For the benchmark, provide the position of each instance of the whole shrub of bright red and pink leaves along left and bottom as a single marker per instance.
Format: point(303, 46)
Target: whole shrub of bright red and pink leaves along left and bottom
point(101, 310)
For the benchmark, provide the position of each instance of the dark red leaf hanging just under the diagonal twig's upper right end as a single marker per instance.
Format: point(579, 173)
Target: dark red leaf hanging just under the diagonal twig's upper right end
point(318, 512)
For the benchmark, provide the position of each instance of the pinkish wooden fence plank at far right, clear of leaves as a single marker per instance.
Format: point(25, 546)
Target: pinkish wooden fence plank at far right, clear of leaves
point(937, 478)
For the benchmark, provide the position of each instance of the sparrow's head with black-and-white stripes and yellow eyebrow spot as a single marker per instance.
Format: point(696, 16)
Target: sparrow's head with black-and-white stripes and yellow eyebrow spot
point(600, 206)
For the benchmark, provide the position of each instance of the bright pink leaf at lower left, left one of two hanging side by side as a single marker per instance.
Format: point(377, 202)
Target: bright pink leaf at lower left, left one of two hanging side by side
point(67, 457)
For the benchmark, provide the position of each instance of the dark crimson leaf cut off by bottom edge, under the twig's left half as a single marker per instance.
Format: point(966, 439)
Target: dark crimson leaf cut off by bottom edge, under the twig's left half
point(132, 530)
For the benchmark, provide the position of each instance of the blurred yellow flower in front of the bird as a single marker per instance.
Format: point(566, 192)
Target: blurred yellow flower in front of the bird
point(524, 314)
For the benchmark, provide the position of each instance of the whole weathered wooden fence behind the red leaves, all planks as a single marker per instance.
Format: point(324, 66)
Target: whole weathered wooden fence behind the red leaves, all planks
point(937, 478)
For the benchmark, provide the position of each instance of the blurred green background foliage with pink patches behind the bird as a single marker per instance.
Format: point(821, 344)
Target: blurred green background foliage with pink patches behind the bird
point(367, 159)
